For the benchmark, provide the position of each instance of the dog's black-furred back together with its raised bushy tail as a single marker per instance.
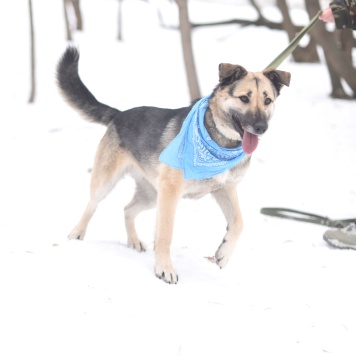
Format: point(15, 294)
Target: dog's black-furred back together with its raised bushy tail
point(141, 129)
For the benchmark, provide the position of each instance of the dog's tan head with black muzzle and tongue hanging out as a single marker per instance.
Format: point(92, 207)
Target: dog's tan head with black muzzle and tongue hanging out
point(243, 102)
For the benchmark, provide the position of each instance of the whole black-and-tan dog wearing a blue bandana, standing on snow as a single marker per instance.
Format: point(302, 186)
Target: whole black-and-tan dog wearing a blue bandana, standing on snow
point(234, 116)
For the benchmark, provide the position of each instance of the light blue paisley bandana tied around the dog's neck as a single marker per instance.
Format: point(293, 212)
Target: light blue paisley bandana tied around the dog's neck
point(194, 151)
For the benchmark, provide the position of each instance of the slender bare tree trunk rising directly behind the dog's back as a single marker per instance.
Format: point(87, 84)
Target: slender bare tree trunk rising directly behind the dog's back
point(185, 32)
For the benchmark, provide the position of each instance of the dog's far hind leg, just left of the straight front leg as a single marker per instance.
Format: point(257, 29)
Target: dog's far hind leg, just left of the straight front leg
point(144, 199)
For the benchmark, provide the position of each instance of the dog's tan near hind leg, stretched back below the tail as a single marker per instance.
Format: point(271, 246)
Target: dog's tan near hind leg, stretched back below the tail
point(109, 165)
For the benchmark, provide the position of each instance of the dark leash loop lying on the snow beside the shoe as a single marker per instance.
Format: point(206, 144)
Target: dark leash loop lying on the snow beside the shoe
point(305, 217)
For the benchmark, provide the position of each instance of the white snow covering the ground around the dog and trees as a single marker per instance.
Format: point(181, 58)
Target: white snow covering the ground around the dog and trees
point(284, 292)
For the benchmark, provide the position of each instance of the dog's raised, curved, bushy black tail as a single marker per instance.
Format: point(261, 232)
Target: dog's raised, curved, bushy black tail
point(77, 94)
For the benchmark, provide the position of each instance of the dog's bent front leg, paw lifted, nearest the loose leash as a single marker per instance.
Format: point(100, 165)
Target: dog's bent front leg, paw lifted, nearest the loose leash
point(228, 202)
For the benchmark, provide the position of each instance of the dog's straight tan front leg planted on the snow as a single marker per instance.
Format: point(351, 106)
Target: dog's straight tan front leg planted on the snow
point(169, 192)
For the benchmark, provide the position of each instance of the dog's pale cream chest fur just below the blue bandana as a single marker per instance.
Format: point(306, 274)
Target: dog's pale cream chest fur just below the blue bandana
point(196, 189)
